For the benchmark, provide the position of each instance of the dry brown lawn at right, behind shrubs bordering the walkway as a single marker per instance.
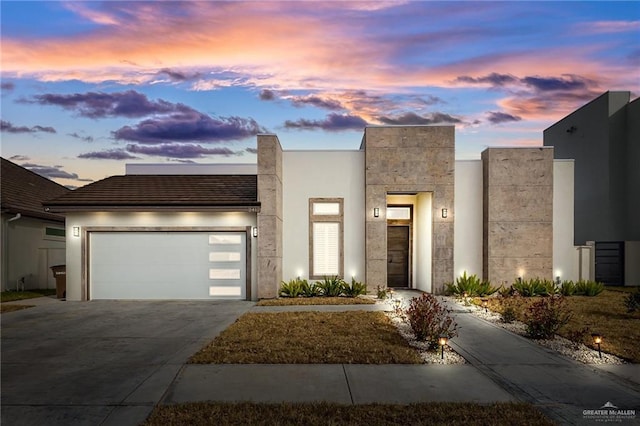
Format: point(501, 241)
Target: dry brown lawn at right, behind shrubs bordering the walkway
point(604, 314)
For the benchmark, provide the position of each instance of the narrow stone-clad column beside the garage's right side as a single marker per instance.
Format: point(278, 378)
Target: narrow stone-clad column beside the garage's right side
point(270, 216)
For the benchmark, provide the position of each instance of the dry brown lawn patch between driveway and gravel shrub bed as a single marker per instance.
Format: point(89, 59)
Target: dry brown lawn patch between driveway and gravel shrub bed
point(354, 337)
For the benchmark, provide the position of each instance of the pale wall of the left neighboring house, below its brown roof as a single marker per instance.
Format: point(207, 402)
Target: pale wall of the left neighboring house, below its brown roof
point(28, 253)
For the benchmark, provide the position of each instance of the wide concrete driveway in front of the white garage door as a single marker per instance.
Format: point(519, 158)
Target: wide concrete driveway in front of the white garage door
point(100, 362)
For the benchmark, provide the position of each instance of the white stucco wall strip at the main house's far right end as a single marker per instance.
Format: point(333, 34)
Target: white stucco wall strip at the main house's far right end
point(565, 254)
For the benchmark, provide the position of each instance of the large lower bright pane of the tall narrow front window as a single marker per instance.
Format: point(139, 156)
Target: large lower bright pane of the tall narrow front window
point(326, 248)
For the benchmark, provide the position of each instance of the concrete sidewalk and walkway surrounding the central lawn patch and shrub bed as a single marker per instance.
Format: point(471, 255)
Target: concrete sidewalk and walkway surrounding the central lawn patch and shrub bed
point(502, 367)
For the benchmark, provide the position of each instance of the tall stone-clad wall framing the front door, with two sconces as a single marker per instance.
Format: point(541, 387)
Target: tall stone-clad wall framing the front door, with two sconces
point(409, 160)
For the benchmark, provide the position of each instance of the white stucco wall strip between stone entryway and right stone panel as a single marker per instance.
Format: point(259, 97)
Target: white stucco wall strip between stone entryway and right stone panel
point(467, 234)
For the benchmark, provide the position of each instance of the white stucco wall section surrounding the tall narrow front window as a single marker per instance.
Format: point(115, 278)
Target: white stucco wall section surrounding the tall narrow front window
point(322, 174)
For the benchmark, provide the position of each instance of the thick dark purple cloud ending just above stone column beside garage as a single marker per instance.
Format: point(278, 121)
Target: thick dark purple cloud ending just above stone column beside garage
point(187, 126)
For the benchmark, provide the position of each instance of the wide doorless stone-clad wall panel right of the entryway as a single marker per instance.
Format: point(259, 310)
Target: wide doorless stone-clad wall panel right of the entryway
point(518, 213)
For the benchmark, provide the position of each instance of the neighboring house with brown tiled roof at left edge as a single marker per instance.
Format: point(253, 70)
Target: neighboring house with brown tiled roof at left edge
point(32, 240)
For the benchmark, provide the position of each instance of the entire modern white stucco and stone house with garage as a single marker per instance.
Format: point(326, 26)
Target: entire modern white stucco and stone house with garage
point(398, 212)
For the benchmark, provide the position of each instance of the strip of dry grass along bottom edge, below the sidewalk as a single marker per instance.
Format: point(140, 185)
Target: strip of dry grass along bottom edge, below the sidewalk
point(310, 414)
